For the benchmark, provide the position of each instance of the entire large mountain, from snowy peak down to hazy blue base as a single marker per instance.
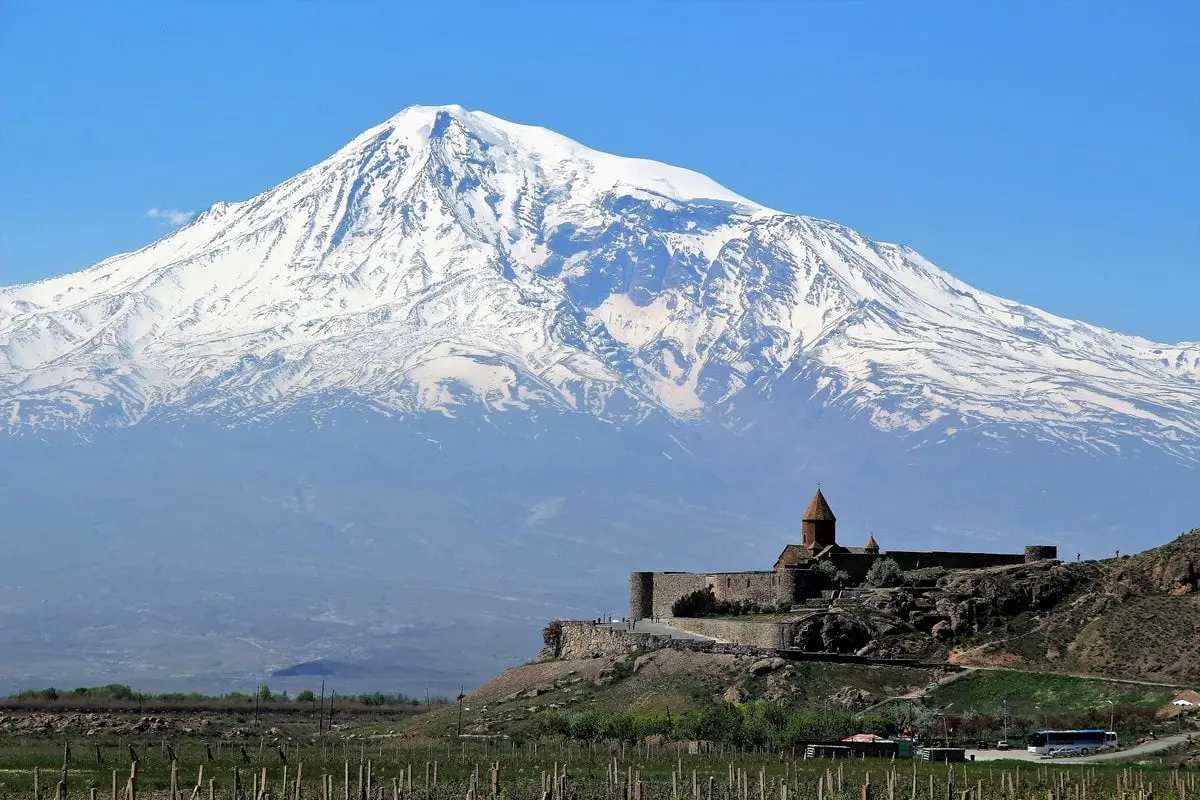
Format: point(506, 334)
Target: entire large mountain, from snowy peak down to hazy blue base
point(465, 376)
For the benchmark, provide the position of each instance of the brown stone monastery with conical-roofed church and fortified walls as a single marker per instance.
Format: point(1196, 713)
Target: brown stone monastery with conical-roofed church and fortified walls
point(796, 578)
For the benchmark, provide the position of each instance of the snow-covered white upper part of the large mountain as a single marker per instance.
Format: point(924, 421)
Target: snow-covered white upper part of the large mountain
point(447, 258)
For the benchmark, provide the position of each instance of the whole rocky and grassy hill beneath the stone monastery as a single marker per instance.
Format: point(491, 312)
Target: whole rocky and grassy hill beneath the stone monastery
point(1054, 636)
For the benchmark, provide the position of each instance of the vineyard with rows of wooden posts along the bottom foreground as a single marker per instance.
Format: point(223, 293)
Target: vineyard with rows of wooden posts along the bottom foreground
point(397, 769)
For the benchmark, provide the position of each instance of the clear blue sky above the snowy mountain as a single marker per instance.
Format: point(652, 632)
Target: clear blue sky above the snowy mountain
point(1045, 152)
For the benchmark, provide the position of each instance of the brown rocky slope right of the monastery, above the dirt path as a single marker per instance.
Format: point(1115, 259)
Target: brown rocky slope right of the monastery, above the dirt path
point(1131, 617)
